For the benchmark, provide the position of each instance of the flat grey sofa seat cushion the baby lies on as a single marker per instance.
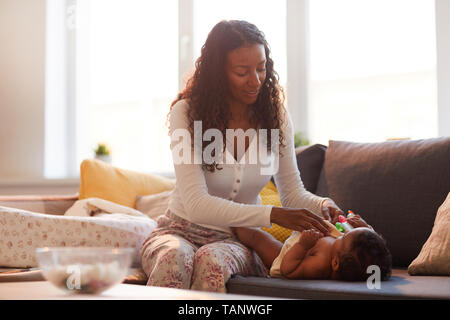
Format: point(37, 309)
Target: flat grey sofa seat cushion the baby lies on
point(399, 286)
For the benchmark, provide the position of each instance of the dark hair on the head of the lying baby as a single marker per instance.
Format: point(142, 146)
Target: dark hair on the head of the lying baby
point(368, 248)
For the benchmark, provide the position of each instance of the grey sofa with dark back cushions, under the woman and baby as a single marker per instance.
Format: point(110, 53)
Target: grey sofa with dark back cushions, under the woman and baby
point(396, 186)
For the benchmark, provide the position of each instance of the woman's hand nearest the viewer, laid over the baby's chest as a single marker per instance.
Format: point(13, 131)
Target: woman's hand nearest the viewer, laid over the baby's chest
point(298, 219)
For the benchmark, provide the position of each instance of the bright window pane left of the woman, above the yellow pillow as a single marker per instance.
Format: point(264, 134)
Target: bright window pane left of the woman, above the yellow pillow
point(127, 78)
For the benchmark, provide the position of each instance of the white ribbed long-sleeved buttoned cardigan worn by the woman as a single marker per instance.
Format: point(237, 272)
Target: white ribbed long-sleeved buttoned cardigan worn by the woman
point(230, 197)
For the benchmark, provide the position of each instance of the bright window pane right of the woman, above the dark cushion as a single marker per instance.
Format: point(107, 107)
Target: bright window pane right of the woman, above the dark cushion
point(373, 70)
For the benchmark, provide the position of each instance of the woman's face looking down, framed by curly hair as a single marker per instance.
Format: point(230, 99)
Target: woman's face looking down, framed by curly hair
point(246, 73)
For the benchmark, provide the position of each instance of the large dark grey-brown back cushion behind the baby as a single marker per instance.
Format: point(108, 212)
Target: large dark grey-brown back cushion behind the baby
point(397, 186)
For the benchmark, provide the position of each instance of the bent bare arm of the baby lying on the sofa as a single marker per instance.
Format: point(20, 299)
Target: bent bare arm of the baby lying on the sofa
point(299, 264)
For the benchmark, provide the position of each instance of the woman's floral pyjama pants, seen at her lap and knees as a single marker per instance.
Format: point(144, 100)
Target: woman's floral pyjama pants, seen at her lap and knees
point(181, 254)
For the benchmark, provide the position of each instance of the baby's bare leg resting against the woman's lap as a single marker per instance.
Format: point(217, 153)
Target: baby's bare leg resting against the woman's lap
point(265, 245)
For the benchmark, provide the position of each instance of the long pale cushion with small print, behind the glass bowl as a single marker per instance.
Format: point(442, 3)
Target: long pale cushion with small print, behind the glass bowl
point(21, 232)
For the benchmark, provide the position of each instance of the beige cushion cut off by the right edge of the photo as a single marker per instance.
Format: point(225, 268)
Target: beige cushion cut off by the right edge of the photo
point(434, 258)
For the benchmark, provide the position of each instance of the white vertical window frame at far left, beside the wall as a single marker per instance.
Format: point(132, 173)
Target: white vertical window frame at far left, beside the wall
point(60, 89)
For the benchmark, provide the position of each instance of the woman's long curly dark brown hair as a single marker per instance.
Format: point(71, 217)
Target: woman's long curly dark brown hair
point(207, 90)
